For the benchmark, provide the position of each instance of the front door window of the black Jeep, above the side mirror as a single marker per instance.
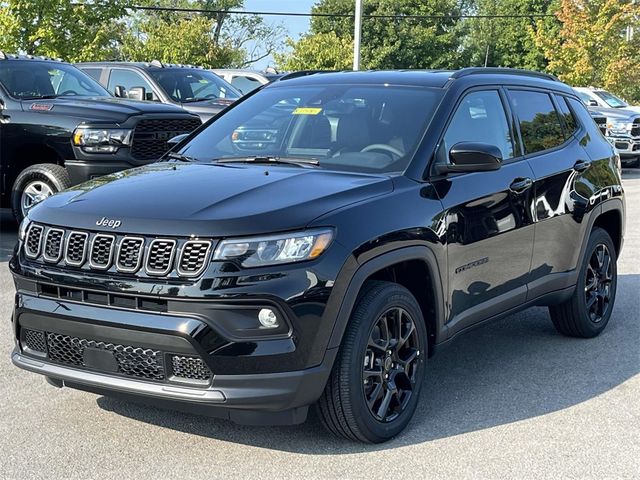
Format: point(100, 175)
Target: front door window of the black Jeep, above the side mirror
point(481, 118)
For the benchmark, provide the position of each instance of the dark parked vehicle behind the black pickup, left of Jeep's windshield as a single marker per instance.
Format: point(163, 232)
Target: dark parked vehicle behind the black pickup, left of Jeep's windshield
point(195, 89)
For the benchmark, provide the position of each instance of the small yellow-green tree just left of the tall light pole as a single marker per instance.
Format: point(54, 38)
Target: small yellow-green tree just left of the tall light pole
point(320, 51)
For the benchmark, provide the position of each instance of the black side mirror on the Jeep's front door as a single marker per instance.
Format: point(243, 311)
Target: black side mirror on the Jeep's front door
point(472, 157)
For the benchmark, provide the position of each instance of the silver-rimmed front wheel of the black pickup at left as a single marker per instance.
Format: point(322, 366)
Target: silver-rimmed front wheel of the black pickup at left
point(47, 177)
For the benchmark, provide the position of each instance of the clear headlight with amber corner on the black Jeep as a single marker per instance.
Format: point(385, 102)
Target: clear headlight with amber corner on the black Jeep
point(275, 249)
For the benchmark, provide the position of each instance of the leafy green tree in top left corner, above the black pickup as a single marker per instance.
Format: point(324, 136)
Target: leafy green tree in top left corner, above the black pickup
point(57, 28)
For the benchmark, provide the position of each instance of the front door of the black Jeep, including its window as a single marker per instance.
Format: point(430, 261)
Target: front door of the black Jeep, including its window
point(489, 225)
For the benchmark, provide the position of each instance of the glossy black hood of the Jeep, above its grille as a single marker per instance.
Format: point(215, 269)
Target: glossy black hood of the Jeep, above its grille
point(208, 199)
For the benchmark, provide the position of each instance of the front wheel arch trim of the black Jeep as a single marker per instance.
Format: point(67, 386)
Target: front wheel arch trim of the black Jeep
point(402, 266)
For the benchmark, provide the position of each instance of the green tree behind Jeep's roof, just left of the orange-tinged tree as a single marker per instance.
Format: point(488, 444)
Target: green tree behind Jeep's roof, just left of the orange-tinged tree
point(507, 42)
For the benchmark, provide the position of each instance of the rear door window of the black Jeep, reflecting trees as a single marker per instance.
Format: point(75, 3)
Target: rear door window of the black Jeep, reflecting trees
point(540, 125)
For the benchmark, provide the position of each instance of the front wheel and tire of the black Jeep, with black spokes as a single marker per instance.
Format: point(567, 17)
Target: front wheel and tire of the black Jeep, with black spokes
point(343, 407)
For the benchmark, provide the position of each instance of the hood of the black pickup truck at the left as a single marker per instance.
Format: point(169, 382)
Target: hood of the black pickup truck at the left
point(98, 108)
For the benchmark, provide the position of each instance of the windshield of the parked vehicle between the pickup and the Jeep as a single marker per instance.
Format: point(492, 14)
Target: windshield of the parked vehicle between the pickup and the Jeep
point(186, 85)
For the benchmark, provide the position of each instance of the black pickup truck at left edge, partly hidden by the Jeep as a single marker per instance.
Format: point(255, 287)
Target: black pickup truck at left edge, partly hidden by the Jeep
point(59, 127)
